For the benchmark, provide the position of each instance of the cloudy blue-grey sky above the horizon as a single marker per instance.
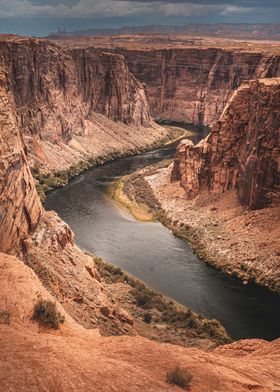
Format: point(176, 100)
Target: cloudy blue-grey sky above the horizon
point(39, 17)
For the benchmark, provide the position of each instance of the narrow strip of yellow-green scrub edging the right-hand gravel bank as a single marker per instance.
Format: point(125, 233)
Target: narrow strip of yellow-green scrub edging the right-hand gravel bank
point(179, 228)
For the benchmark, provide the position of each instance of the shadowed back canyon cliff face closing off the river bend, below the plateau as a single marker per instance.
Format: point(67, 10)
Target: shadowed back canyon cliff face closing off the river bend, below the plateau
point(193, 85)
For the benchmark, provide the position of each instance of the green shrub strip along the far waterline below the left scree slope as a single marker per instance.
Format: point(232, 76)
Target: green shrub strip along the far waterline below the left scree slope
point(46, 183)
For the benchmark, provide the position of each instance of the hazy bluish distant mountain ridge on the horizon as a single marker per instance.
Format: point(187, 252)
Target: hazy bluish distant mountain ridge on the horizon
point(233, 30)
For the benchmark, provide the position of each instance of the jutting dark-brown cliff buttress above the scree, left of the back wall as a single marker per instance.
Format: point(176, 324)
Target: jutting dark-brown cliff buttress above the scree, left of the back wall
point(105, 83)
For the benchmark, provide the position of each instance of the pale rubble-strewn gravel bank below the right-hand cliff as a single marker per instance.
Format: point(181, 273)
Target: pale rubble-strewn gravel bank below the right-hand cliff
point(223, 233)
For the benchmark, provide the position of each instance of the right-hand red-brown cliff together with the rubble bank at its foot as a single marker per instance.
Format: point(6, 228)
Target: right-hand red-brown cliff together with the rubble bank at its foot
point(222, 194)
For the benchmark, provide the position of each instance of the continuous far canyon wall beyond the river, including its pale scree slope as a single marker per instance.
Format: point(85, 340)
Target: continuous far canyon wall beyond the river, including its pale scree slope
point(74, 103)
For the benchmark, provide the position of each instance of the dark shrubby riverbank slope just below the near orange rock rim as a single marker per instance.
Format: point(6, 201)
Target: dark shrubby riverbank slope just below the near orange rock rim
point(174, 315)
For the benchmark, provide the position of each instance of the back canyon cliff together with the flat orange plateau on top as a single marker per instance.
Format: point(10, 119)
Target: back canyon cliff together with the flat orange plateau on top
point(188, 79)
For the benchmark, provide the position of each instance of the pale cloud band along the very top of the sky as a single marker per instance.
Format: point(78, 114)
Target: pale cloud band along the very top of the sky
point(125, 8)
